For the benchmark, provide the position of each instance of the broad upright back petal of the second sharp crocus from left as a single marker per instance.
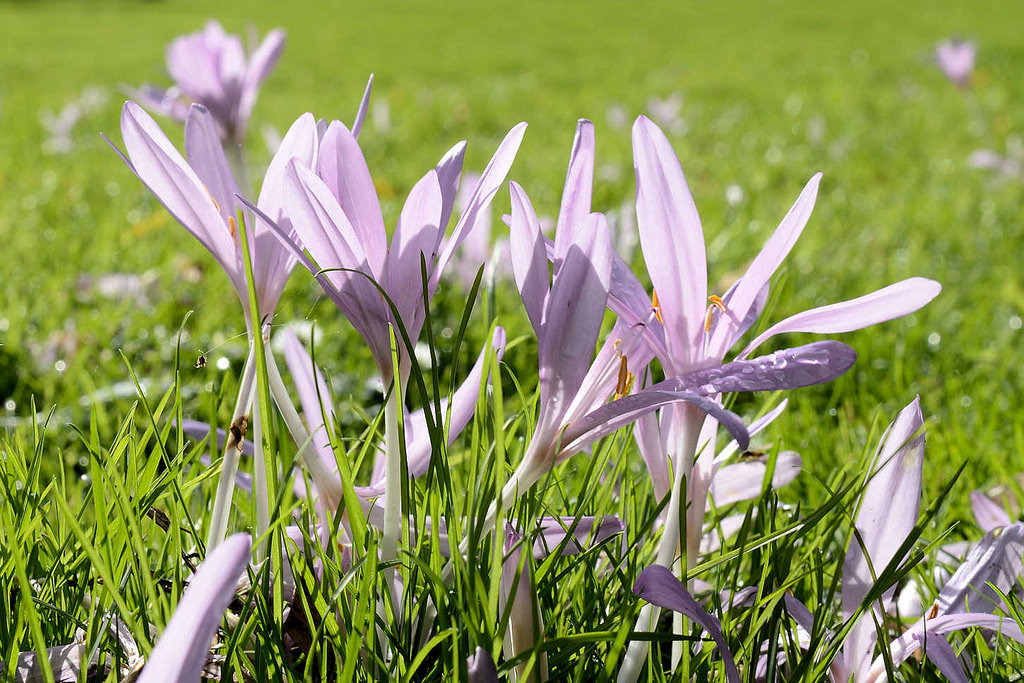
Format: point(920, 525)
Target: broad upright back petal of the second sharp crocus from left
point(345, 172)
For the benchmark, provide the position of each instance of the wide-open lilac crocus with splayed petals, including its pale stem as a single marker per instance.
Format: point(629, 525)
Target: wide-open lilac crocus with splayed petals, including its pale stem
point(691, 330)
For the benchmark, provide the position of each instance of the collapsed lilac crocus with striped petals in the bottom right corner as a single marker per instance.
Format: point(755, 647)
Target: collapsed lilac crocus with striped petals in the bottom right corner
point(888, 513)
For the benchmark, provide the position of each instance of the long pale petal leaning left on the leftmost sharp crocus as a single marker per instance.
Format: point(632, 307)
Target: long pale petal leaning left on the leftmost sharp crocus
point(165, 173)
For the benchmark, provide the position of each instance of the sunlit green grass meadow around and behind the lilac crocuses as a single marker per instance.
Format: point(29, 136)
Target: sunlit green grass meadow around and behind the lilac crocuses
point(103, 293)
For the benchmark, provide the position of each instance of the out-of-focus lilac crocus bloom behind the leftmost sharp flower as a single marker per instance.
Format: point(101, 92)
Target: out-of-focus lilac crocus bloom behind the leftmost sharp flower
point(212, 69)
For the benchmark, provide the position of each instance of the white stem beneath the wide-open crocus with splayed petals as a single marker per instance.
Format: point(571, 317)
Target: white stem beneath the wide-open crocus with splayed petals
point(668, 551)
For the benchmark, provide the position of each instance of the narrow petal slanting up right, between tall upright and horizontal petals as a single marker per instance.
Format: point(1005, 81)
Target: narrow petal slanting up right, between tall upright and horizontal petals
point(760, 272)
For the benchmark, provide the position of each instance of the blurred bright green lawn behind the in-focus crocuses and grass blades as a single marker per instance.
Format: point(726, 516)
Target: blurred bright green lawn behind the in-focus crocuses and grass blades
point(756, 97)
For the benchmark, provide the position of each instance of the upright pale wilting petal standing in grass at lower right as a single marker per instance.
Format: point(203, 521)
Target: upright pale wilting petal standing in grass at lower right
point(888, 514)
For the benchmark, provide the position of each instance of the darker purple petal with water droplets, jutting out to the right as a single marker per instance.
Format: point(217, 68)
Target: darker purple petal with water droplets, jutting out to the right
point(790, 369)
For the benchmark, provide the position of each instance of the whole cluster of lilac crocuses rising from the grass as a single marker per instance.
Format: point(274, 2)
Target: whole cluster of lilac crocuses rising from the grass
point(665, 368)
